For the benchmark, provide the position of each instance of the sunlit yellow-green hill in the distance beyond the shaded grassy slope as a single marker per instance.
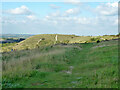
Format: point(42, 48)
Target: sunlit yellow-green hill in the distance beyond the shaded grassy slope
point(49, 39)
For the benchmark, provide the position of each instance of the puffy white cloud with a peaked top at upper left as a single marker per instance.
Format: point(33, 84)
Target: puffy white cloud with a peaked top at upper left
point(23, 10)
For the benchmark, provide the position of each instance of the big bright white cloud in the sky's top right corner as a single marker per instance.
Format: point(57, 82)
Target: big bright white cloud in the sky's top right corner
point(108, 9)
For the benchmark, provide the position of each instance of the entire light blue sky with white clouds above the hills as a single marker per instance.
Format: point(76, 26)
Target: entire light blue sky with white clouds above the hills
point(60, 18)
